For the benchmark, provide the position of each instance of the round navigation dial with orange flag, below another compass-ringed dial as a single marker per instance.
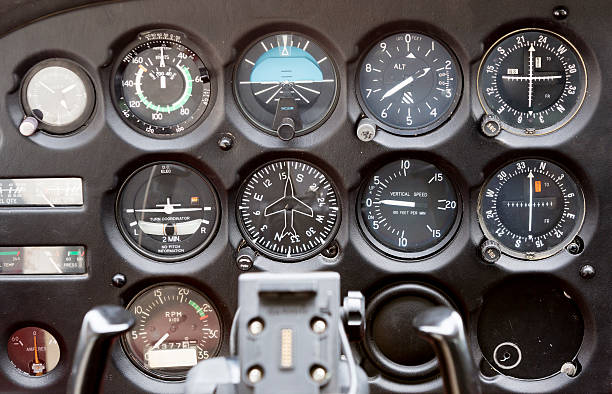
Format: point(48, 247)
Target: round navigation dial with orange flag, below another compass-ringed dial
point(532, 208)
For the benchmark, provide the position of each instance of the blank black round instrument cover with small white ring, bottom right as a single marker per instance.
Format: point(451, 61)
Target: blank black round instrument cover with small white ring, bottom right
point(529, 328)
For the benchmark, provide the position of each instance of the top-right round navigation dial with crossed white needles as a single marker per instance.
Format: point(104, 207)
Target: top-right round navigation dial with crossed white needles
point(533, 80)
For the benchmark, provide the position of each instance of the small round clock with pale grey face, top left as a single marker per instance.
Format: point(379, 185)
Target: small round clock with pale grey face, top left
point(60, 94)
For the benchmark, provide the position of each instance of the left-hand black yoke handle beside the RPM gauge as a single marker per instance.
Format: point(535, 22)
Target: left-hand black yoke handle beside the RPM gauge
point(100, 325)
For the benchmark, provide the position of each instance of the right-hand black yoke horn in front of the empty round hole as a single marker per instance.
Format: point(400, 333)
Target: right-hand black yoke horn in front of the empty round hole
point(442, 327)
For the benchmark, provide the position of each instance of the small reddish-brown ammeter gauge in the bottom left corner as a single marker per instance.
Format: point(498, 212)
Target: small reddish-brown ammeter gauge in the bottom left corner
point(33, 350)
